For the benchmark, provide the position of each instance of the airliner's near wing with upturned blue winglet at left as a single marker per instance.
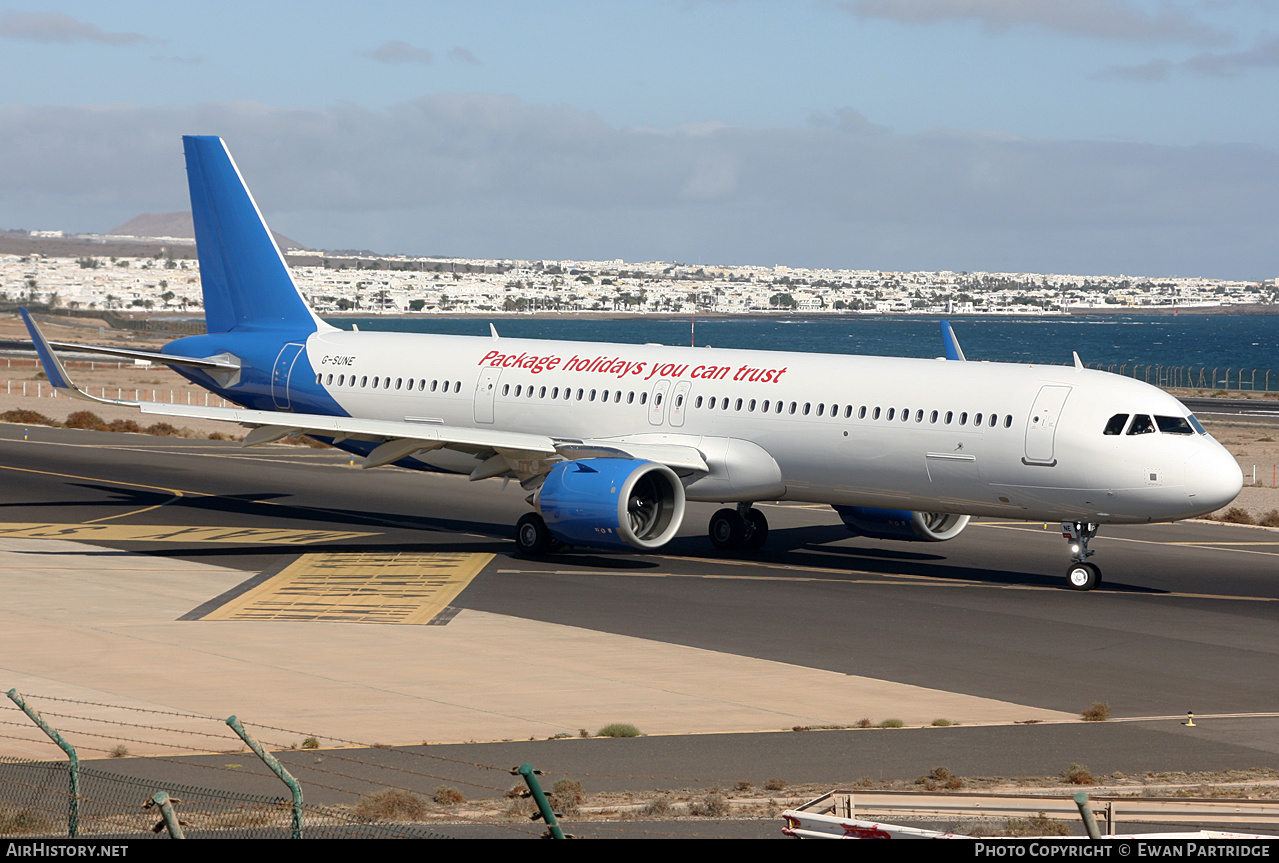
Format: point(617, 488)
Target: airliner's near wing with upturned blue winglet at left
point(505, 453)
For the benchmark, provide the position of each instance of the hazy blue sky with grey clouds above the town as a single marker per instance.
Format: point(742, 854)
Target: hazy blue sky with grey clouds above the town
point(1066, 136)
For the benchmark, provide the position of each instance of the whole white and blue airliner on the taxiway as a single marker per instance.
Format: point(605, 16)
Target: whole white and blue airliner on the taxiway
point(609, 442)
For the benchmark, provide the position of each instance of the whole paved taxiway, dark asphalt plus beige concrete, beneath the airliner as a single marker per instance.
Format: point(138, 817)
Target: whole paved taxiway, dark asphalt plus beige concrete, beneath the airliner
point(297, 570)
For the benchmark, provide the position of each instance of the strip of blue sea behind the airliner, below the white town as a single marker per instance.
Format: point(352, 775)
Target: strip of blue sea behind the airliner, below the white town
point(1188, 341)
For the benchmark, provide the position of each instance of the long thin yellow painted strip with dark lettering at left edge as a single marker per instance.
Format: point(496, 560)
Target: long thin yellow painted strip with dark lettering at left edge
point(172, 534)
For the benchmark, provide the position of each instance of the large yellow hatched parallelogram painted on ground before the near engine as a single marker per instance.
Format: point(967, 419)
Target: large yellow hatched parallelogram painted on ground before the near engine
point(375, 587)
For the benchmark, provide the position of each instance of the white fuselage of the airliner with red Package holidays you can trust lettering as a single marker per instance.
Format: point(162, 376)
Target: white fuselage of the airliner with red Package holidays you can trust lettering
point(974, 438)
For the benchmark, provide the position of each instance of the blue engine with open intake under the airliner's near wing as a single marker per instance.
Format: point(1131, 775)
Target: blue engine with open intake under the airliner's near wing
point(612, 503)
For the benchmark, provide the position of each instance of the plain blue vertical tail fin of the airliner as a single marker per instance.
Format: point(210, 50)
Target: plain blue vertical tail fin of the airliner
point(246, 283)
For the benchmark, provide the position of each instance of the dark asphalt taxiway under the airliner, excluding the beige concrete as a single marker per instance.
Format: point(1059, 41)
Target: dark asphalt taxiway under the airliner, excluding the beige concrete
point(1185, 619)
